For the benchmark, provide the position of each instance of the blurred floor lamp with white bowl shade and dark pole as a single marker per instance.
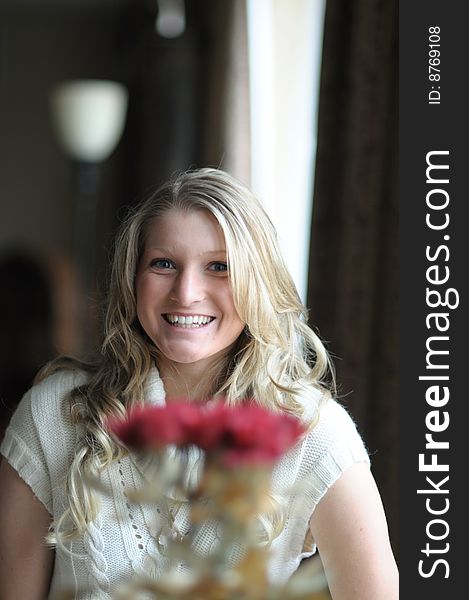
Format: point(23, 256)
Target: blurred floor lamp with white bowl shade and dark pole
point(88, 116)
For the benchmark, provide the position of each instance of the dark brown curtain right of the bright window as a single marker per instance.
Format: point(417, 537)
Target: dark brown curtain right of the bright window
point(352, 291)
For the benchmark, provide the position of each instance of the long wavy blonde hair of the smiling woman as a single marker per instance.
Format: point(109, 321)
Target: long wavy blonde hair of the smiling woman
point(278, 359)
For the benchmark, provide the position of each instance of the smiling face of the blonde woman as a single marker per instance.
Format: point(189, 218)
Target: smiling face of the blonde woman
point(184, 298)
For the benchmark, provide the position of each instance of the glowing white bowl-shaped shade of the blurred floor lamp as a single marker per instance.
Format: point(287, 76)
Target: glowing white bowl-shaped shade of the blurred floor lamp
point(89, 117)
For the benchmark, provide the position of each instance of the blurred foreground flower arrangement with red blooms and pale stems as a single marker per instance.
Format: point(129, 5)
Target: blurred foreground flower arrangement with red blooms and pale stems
point(240, 448)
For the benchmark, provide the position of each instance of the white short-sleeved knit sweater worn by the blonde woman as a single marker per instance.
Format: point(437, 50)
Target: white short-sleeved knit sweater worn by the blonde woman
point(40, 444)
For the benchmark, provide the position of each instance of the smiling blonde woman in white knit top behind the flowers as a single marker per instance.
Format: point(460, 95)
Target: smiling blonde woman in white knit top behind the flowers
point(200, 305)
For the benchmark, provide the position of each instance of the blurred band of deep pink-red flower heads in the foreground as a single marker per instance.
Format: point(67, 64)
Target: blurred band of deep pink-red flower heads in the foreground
point(245, 434)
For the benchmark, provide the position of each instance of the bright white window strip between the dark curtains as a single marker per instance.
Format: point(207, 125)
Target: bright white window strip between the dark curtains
point(285, 46)
